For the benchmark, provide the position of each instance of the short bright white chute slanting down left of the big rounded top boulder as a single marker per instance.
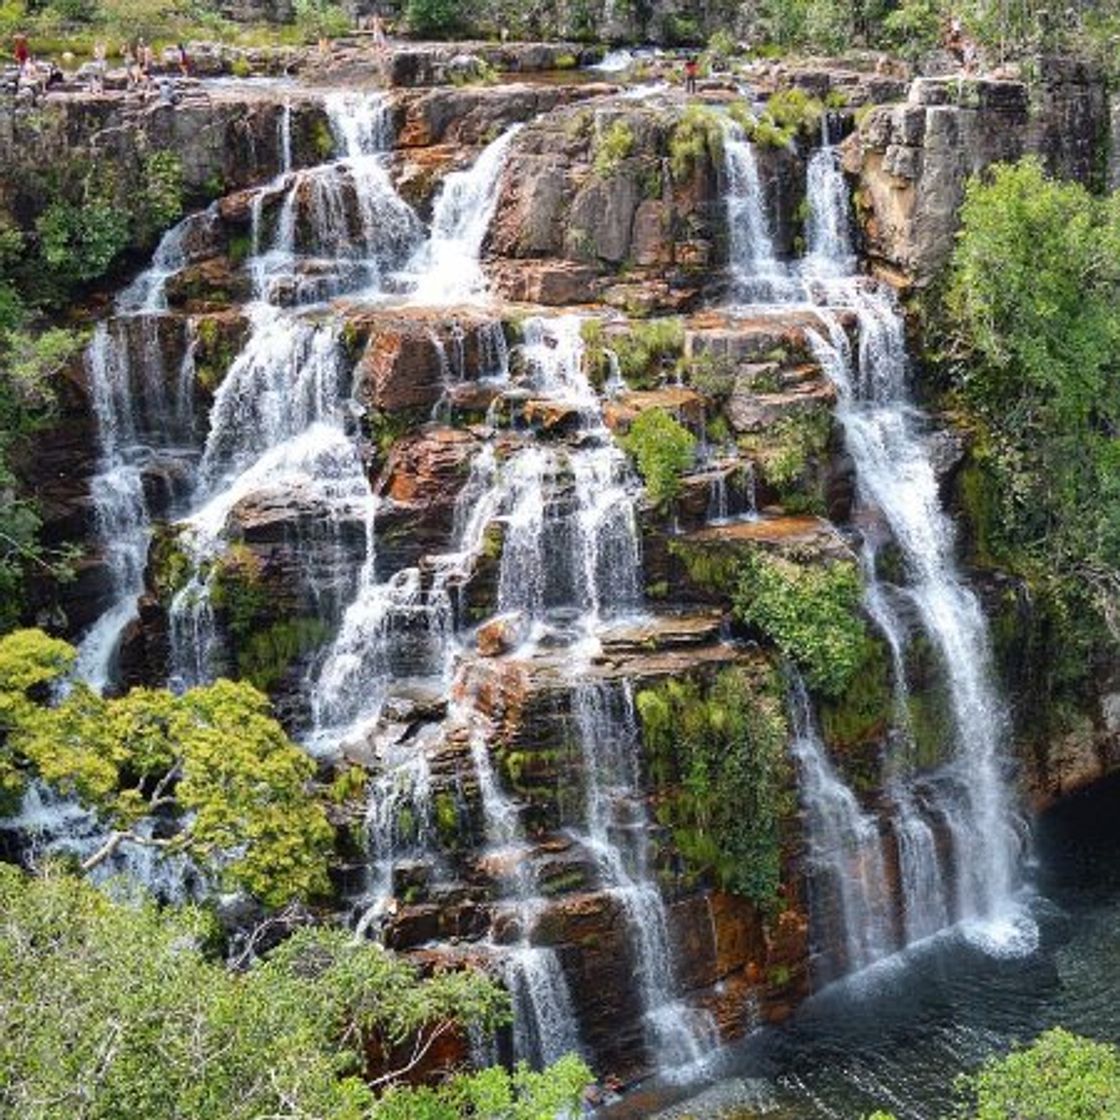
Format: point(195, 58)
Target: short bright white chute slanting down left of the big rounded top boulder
point(446, 268)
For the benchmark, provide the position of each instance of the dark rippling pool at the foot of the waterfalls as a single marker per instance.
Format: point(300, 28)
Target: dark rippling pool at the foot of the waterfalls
point(898, 1037)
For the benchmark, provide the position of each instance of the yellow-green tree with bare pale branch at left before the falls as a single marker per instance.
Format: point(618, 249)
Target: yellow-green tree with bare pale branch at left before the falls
point(213, 760)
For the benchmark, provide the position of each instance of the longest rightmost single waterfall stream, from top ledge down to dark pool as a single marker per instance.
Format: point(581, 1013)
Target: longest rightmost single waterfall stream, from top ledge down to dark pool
point(895, 475)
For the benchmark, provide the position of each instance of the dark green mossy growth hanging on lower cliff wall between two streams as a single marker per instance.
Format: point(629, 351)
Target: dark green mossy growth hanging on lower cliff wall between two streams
point(716, 751)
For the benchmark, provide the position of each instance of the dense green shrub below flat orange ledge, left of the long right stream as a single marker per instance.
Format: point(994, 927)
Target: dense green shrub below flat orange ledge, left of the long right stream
point(811, 612)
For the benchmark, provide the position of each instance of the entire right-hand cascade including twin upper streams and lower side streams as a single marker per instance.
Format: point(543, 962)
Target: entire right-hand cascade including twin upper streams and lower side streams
point(895, 477)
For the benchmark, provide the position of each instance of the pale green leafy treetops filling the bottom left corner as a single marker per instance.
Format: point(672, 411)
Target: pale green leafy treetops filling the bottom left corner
point(117, 1011)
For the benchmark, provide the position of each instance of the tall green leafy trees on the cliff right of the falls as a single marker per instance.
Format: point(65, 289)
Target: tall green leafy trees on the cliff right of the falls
point(1034, 337)
